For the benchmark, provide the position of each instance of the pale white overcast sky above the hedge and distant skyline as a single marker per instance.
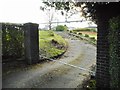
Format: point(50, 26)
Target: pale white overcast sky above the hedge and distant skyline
point(23, 11)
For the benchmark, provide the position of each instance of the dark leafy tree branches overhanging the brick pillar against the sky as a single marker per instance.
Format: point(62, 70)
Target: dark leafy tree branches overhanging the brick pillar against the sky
point(90, 10)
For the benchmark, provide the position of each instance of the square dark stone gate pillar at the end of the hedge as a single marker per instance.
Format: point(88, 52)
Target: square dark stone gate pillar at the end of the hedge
point(31, 43)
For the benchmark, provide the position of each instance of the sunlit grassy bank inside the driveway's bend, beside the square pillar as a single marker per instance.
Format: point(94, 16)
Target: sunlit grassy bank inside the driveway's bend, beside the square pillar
point(51, 44)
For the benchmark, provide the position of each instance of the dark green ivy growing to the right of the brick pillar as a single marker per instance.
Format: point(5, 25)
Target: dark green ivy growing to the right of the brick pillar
point(114, 52)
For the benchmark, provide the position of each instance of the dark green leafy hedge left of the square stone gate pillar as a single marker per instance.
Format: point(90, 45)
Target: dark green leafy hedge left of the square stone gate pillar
point(12, 40)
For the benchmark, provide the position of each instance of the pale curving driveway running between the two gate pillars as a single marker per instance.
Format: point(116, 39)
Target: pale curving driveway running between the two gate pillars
point(53, 74)
